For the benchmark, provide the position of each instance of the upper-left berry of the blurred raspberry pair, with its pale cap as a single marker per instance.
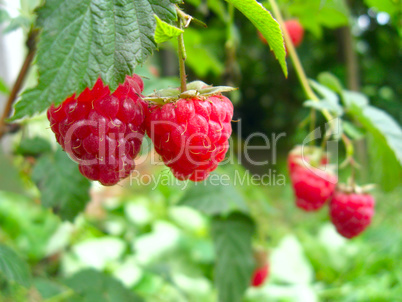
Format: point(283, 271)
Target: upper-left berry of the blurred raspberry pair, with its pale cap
point(312, 186)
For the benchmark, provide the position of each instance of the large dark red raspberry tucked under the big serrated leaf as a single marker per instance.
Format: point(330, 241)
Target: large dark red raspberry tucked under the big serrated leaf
point(102, 132)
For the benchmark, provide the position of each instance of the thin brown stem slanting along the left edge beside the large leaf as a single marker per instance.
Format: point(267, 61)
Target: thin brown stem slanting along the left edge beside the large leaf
point(31, 44)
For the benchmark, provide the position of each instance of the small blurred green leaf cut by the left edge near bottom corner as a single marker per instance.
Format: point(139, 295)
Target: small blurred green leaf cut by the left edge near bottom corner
point(13, 267)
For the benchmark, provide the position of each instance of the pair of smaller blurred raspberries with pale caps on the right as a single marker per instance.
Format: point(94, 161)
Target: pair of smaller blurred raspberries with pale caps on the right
point(350, 208)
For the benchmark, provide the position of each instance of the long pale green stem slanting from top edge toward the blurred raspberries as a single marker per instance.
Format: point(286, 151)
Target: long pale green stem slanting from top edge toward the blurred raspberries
point(302, 75)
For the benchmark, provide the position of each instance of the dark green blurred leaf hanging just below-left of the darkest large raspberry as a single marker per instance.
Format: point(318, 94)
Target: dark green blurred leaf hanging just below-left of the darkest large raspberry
point(62, 186)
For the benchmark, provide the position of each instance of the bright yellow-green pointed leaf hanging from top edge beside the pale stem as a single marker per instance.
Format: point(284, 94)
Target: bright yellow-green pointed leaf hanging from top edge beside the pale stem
point(267, 25)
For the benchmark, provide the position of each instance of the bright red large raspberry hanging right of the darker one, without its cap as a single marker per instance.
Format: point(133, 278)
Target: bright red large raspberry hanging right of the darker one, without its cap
point(191, 135)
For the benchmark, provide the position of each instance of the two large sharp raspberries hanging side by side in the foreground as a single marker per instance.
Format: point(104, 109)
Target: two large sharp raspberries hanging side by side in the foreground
point(103, 132)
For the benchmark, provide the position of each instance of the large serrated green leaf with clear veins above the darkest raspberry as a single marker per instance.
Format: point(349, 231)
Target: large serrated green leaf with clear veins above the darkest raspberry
point(82, 40)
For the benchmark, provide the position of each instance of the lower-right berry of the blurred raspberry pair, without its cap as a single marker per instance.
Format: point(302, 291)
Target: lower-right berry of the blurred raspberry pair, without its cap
point(351, 213)
